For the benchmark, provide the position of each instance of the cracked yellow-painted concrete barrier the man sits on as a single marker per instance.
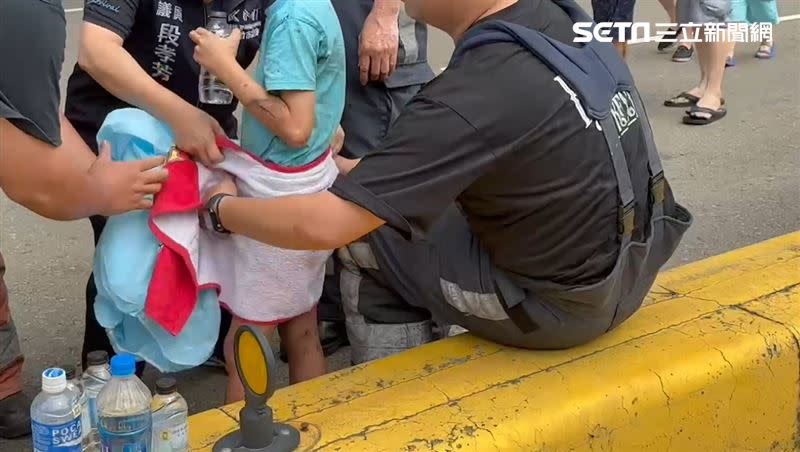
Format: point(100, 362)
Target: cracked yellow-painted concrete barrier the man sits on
point(735, 347)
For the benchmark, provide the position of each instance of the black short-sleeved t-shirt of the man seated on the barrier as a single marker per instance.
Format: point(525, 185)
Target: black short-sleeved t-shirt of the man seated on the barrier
point(498, 133)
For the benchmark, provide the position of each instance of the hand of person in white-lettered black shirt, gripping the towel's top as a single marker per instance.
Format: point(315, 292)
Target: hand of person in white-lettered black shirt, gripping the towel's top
point(196, 134)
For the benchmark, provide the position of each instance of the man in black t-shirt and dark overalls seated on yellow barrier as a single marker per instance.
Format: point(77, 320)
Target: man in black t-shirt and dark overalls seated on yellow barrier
point(520, 194)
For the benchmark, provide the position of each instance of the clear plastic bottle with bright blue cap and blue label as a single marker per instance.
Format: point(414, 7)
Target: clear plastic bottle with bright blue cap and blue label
point(123, 409)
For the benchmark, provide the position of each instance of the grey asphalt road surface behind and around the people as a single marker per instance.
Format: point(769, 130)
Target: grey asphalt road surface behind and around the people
point(740, 177)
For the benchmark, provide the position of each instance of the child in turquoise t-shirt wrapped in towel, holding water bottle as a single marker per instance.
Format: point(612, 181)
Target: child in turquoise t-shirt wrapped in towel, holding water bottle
point(293, 109)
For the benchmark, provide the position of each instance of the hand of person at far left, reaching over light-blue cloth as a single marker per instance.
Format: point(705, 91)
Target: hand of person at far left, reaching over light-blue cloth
point(126, 186)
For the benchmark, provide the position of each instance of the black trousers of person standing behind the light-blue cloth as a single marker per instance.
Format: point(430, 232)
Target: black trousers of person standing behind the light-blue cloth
point(94, 335)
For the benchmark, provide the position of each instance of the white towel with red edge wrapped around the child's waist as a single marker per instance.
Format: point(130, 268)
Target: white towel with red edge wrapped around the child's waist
point(257, 282)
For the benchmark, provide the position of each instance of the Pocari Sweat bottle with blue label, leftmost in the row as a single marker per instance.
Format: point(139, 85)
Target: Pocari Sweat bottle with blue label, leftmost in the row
point(56, 415)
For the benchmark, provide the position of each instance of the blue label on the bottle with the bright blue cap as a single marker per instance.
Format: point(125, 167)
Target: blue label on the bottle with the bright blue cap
point(127, 433)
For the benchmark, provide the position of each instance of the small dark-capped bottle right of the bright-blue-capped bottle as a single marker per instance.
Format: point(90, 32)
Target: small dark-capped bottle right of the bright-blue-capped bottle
point(170, 418)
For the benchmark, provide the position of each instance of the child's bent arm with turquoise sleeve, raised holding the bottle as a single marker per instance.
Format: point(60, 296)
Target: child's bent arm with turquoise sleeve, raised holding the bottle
point(292, 72)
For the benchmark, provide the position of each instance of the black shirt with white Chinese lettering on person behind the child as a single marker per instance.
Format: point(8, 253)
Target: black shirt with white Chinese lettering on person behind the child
point(156, 34)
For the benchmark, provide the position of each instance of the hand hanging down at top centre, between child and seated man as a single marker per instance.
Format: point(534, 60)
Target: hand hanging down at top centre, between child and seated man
point(377, 47)
